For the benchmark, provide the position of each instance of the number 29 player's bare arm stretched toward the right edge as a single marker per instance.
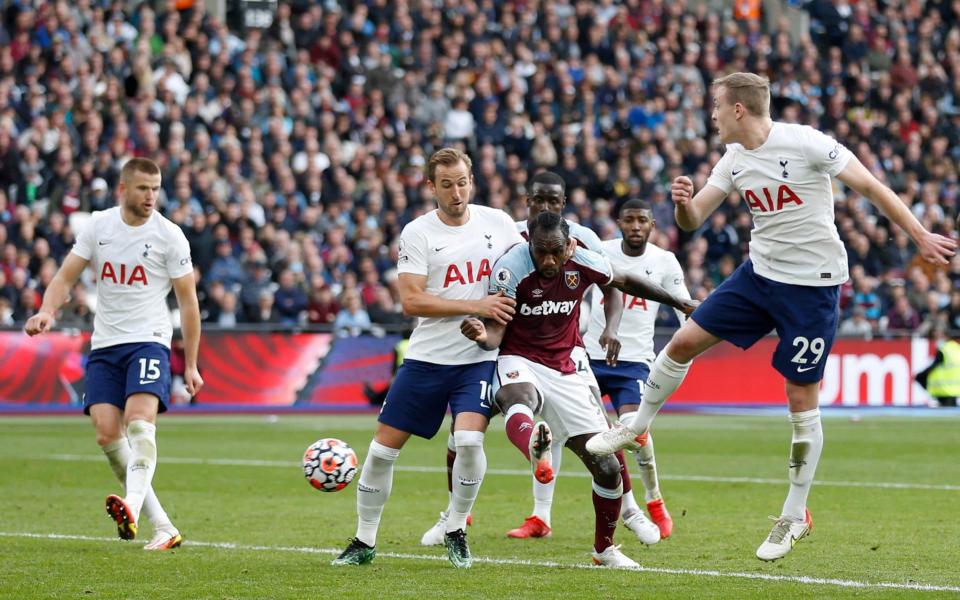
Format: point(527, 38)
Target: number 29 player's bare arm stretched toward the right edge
point(932, 247)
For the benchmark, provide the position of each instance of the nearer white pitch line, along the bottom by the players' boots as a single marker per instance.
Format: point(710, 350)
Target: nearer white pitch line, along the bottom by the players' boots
point(849, 583)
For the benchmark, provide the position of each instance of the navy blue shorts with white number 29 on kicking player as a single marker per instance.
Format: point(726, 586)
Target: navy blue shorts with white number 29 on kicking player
point(747, 306)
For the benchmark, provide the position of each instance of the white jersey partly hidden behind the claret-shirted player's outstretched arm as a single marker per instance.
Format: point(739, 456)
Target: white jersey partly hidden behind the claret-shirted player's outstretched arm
point(639, 315)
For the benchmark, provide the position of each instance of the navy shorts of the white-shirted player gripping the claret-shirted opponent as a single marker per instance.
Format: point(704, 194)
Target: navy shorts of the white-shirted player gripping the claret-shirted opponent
point(419, 395)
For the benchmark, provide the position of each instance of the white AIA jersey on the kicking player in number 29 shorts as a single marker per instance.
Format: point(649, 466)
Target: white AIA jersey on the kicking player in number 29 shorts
point(786, 184)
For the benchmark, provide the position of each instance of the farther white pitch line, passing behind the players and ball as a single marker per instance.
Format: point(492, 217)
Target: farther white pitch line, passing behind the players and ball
point(236, 462)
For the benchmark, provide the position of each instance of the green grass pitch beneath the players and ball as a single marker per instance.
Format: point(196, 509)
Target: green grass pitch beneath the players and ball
point(237, 480)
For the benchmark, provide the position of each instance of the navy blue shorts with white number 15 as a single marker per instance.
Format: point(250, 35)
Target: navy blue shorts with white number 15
point(116, 372)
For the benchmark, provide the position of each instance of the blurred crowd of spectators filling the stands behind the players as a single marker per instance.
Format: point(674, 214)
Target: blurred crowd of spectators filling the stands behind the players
point(293, 156)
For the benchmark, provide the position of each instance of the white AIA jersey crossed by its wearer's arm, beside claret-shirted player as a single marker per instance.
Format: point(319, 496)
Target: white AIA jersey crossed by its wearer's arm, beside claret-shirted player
point(457, 262)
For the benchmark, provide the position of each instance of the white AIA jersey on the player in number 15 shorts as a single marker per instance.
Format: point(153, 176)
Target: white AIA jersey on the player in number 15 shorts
point(133, 267)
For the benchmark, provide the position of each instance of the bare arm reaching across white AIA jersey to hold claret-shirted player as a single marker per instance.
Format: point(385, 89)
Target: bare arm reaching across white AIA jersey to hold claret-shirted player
point(417, 302)
